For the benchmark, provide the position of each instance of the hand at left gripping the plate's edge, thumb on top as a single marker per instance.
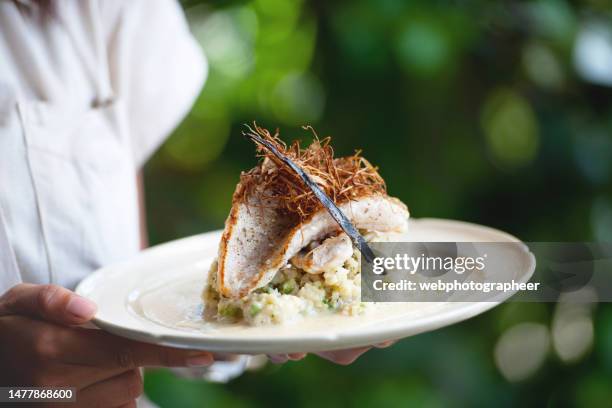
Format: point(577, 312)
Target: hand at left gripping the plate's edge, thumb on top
point(39, 346)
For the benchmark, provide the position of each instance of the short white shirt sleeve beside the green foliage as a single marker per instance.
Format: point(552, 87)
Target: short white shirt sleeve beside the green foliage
point(157, 69)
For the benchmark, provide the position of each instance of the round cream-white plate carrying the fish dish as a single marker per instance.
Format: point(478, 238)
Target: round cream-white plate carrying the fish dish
point(155, 297)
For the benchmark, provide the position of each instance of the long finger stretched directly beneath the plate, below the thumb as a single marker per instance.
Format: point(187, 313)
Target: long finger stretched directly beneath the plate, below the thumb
point(96, 348)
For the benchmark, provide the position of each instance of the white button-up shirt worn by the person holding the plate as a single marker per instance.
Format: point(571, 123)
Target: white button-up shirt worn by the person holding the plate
point(87, 93)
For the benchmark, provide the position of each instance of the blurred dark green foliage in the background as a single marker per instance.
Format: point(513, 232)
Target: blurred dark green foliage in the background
point(494, 112)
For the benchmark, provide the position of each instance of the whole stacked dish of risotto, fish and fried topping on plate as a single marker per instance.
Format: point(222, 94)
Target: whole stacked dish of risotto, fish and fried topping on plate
point(282, 255)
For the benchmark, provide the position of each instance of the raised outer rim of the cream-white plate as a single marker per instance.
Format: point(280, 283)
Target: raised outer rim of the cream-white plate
point(286, 344)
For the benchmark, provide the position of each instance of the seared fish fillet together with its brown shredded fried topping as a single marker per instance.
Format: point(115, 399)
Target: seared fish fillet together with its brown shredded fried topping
point(276, 213)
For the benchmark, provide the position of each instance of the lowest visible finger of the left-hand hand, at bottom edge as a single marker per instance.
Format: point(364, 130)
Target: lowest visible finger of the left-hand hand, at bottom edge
point(113, 392)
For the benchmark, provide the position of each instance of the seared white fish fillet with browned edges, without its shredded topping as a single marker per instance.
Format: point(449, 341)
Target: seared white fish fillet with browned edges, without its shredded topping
point(258, 240)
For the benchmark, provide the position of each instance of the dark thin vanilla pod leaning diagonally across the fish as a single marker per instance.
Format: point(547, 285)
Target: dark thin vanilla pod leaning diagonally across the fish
point(358, 241)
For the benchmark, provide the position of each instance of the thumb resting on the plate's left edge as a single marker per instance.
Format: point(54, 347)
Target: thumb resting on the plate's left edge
point(47, 302)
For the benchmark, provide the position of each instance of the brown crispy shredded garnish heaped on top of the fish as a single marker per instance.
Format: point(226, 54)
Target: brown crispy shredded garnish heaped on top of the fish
point(342, 178)
